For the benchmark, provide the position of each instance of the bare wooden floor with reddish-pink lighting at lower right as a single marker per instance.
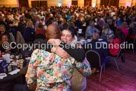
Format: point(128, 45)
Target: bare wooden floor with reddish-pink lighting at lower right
point(113, 80)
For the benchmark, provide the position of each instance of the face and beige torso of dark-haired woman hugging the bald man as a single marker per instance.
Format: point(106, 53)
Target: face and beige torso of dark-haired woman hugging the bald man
point(68, 37)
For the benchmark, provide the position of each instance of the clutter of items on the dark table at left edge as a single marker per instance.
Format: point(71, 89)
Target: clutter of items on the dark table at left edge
point(9, 62)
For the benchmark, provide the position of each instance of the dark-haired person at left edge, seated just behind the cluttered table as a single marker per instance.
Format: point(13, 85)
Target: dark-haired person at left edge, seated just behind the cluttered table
point(5, 48)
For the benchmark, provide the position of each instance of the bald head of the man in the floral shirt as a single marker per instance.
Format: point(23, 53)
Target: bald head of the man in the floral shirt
point(53, 32)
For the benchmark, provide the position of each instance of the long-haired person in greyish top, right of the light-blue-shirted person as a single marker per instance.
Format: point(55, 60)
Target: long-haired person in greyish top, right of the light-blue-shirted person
point(107, 33)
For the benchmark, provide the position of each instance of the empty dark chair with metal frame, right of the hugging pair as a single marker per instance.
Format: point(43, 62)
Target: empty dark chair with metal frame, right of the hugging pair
point(94, 58)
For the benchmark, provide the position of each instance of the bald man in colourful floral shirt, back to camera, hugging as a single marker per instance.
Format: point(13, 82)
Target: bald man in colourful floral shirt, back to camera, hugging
point(53, 72)
